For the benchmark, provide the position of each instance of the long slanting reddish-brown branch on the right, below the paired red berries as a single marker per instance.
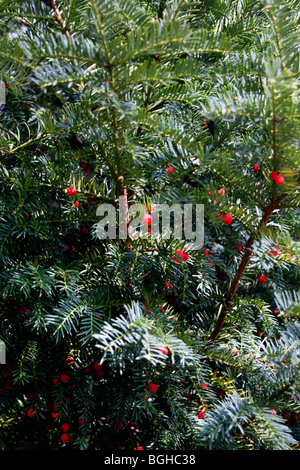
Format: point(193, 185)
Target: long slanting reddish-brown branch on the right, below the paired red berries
point(240, 271)
